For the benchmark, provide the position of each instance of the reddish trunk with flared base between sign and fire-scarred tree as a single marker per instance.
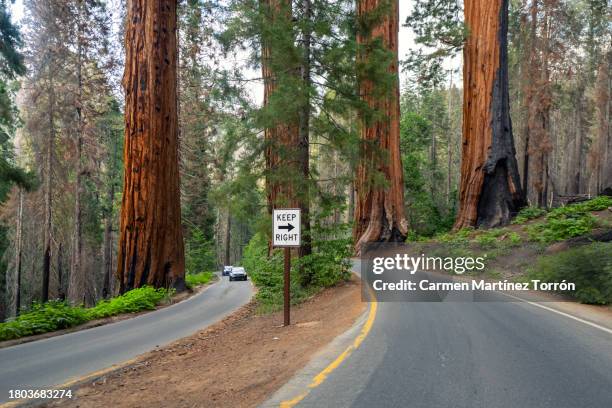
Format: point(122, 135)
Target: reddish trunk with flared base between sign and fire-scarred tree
point(379, 209)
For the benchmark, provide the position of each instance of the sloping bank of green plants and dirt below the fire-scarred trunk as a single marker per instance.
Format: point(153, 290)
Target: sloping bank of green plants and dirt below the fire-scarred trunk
point(518, 251)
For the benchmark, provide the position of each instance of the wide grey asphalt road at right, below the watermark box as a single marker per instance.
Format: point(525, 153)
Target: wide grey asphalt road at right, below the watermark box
point(464, 354)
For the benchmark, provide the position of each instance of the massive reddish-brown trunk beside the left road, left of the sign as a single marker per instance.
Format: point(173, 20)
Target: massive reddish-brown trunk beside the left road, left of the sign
point(151, 247)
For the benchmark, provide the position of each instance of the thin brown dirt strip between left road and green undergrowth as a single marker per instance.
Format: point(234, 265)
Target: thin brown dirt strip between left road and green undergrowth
point(179, 297)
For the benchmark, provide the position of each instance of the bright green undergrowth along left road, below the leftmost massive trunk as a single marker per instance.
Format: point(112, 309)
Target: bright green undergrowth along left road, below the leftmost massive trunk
point(58, 315)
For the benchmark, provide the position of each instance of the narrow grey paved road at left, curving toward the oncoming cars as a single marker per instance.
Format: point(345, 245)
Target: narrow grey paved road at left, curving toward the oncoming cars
point(56, 360)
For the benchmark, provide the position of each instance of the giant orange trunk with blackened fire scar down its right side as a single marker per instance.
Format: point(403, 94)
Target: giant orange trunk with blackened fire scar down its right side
point(490, 190)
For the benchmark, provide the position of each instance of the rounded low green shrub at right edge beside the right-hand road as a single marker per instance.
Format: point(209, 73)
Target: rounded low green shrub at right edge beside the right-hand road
point(588, 266)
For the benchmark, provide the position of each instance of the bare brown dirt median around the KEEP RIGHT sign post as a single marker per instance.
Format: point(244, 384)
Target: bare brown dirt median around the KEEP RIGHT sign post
point(237, 362)
